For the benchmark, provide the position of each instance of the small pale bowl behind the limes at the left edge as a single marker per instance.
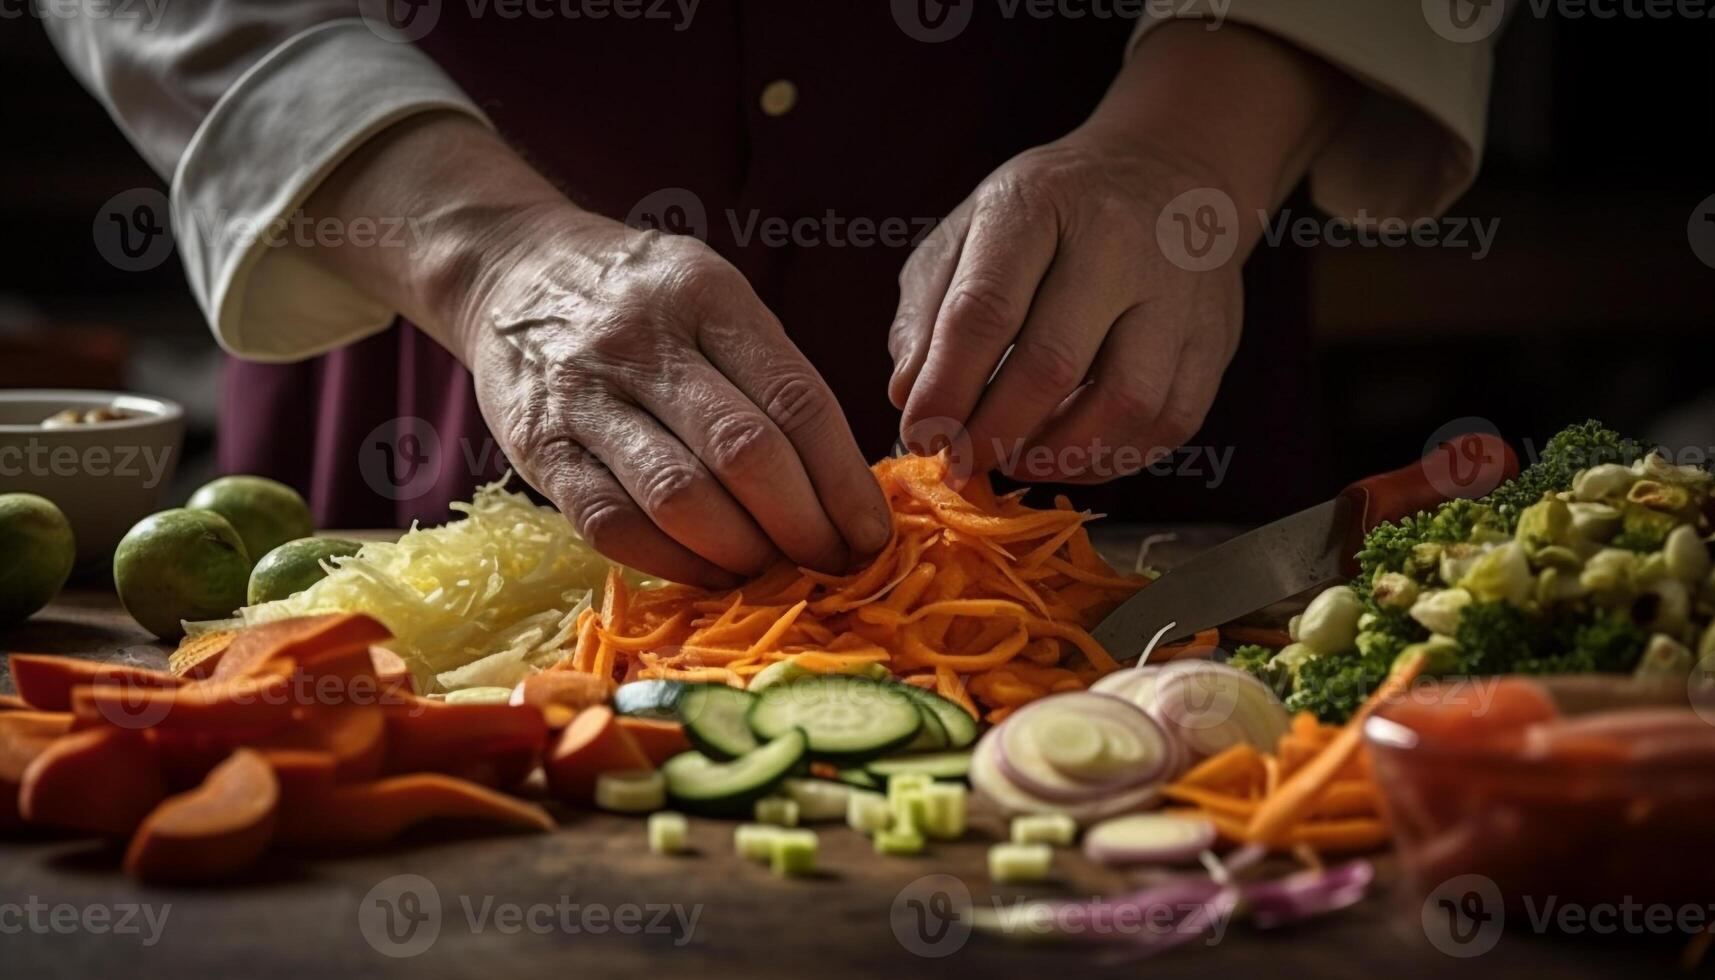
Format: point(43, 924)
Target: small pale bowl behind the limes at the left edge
point(105, 476)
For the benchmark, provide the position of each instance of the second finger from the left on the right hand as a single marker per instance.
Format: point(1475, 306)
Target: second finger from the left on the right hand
point(1004, 258)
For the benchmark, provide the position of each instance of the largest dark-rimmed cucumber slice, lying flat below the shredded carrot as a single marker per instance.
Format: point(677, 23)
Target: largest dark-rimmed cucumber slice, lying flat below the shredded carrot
point(845, 718)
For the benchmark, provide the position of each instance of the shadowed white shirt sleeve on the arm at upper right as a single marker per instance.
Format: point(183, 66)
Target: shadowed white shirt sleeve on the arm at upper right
point(1416, 140)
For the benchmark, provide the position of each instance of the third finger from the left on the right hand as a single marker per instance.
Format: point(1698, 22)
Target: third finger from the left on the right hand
point(1069, 318)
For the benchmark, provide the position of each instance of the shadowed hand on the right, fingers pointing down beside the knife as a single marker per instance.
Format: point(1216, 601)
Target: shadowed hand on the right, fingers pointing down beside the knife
point(1117, 351)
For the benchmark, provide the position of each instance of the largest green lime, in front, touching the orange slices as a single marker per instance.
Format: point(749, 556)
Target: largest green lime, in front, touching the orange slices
point(181, 566)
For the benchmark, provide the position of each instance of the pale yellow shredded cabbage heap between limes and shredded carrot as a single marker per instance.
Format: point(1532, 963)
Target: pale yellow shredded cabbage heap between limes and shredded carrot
point(481, 602)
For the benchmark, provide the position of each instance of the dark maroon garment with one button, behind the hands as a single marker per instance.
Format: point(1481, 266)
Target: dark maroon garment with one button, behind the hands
point(630, 116)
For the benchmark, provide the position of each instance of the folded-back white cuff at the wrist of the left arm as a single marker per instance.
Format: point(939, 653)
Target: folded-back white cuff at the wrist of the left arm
point(260, 154)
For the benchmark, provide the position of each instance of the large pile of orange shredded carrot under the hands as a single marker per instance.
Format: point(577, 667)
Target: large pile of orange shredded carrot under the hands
point(975, 596)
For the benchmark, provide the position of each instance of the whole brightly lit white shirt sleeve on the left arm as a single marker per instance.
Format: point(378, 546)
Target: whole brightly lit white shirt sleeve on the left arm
point(246, 107)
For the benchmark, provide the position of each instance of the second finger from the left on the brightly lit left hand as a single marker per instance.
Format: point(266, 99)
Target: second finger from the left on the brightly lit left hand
point(677, 490)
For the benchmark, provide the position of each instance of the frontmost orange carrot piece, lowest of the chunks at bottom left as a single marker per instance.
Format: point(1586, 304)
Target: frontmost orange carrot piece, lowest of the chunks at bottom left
point(214, 832)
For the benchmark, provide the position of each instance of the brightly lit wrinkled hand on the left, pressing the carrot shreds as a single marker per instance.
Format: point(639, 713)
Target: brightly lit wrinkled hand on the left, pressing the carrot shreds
point(641, 384)
